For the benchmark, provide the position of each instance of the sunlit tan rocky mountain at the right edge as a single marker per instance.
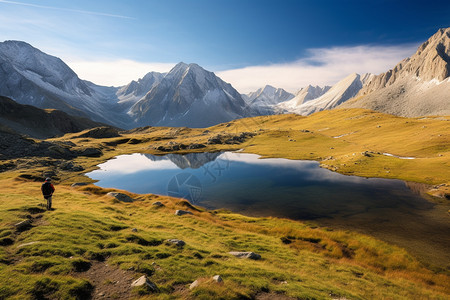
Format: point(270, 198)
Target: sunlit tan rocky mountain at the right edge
point(417, 86)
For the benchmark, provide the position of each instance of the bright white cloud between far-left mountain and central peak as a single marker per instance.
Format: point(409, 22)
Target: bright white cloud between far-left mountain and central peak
point(115, 72)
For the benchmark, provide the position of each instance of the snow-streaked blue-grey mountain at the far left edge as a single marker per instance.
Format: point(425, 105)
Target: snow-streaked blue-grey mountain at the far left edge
point(30, 76)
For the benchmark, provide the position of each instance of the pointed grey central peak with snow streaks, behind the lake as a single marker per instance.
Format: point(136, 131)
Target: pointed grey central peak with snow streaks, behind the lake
point(189, 96)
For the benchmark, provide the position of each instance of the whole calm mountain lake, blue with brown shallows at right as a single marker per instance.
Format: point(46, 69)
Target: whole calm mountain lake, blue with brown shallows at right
point(293, 189)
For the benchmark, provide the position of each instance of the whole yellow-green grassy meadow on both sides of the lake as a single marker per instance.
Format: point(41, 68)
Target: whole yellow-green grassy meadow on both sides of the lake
point(90, 231)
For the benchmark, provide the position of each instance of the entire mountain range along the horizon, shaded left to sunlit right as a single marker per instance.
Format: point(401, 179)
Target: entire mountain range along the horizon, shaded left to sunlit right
point(191, 96)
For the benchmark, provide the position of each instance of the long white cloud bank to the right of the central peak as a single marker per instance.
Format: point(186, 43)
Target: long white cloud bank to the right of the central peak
point(324, 66)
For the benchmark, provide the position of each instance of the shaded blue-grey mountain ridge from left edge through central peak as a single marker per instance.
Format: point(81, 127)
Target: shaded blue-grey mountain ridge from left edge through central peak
point(186, 96)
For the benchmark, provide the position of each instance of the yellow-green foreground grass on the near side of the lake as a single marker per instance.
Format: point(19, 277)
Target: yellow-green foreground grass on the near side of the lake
point(298, 260)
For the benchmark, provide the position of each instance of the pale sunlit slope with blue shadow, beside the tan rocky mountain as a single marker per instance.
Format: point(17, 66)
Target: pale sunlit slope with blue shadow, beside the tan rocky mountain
point(339, 93)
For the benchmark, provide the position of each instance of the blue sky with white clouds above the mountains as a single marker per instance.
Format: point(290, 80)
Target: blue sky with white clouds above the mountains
point(248, 43)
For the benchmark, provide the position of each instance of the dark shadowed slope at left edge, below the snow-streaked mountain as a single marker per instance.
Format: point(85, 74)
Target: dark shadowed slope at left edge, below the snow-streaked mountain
point(39, 123)
